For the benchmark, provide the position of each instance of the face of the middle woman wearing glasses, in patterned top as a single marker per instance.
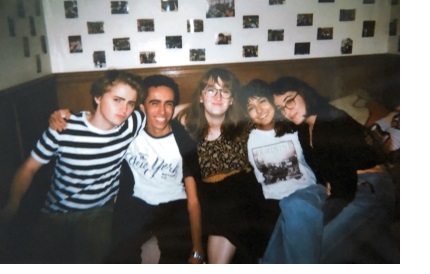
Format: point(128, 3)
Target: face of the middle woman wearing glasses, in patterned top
point(216, 105)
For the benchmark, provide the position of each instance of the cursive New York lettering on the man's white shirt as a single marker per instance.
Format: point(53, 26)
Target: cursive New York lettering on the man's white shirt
point(155, 168)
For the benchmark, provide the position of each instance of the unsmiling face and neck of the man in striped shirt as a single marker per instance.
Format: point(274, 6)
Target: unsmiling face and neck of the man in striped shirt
point(114, 106)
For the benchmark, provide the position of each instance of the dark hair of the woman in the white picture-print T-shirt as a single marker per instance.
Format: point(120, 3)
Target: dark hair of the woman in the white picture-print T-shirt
point(260, 88)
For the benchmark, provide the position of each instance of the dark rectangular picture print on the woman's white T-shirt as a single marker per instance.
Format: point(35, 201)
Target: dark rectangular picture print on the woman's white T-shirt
point(277, 162)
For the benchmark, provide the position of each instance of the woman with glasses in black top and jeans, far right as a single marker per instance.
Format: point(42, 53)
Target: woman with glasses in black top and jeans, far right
point(335, 147)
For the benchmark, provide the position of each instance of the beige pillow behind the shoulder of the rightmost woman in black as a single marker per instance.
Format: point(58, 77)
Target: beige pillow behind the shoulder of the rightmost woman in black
point(354, 105)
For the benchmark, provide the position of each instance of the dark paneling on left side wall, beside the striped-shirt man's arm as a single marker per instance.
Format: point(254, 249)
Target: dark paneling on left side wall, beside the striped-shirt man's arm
point(24, 114)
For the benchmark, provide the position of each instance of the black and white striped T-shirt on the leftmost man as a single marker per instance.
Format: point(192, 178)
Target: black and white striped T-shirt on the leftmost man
point(87, 162)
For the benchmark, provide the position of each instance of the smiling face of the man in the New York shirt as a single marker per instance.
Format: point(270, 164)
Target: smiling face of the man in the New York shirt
point(159, 108)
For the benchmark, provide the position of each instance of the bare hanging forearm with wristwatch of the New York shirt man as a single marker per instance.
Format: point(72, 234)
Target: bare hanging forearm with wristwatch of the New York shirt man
point(195, 217)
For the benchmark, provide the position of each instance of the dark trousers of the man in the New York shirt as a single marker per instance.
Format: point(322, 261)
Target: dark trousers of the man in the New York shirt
point(135, 222)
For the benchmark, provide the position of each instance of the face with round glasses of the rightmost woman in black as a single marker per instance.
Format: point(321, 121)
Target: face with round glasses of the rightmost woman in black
point(292, 106)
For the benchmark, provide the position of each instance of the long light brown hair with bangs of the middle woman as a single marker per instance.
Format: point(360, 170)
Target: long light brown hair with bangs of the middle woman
point(233, 126)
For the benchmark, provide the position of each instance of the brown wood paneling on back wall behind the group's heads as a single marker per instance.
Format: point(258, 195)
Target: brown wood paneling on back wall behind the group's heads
point(332, 77)
